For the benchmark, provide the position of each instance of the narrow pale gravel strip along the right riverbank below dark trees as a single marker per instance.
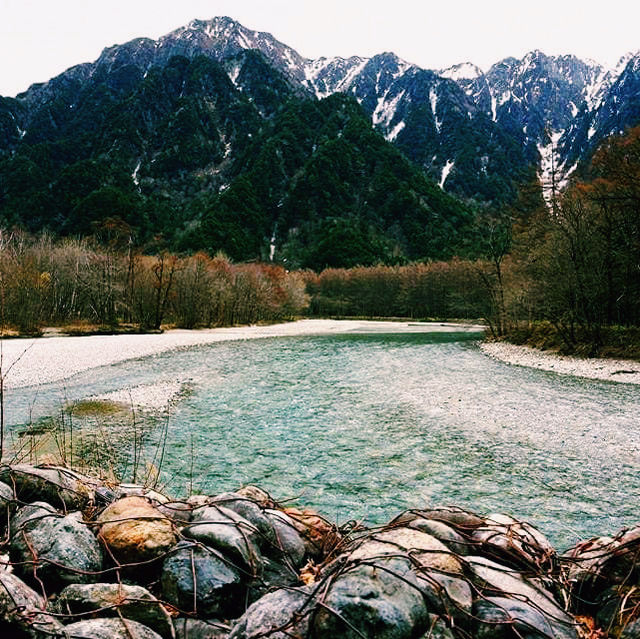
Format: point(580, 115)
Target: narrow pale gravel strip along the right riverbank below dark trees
point(612, 370)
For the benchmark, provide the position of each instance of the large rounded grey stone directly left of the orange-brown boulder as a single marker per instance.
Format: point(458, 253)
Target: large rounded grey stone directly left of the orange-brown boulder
point(63, 549)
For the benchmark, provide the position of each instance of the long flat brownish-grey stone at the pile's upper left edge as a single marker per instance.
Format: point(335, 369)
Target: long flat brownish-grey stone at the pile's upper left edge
point(60, 487)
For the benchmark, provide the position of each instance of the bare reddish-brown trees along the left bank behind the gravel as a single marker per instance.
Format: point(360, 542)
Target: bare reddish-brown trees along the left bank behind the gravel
point(56, 282)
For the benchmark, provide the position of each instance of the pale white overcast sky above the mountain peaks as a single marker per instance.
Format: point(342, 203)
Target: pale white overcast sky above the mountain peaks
point(41, 38)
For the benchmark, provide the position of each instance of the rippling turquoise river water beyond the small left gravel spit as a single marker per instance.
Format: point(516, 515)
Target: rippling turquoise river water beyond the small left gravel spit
point(365, 425)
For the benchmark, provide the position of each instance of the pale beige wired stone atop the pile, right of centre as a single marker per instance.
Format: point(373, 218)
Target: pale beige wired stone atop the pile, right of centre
point(425, 550)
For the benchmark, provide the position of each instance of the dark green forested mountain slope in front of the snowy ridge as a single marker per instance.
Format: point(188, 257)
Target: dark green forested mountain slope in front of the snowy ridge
point(225, 154)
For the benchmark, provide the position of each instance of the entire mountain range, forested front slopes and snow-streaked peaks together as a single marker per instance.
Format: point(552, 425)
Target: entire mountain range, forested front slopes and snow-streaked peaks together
point(178, 134)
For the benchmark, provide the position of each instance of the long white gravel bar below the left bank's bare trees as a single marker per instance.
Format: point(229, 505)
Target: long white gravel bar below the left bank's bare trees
point(28, 362)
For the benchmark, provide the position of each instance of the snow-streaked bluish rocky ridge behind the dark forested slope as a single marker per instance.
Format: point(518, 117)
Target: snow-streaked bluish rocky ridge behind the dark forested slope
point(511, 92)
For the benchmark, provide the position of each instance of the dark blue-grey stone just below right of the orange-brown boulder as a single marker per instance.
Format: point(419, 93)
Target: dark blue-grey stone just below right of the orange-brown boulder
point(218, 590)
